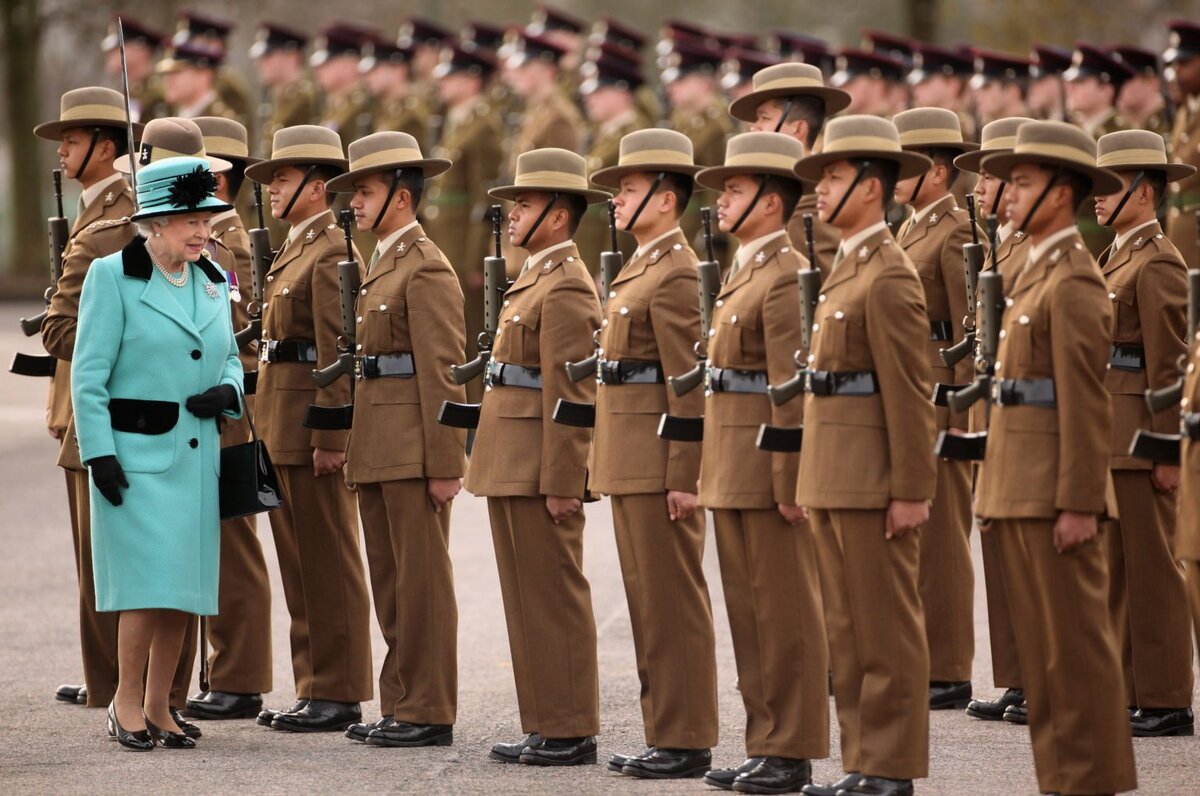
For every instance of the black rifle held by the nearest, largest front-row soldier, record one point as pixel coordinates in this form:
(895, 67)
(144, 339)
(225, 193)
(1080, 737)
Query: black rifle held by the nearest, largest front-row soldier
(989, 318)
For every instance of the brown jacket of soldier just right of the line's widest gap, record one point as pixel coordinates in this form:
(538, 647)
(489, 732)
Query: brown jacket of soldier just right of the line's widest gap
(548, 320)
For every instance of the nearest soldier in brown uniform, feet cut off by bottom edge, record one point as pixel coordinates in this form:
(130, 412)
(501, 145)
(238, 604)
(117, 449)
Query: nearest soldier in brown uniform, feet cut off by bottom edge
(1043, 483)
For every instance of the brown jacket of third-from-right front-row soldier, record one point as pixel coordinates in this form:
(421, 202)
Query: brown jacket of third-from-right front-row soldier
(757, 328)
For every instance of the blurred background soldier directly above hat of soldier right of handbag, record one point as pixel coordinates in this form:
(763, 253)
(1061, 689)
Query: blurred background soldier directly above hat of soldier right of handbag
(289, 95)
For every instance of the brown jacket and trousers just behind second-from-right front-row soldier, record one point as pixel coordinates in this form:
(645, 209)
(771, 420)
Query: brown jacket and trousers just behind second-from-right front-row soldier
(934, 243)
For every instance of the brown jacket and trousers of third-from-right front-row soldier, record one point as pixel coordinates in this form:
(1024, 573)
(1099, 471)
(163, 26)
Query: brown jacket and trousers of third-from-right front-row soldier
(769, 567)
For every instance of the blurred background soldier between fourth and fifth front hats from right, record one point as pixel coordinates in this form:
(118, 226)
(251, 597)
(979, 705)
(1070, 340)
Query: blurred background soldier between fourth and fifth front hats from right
(608, 91)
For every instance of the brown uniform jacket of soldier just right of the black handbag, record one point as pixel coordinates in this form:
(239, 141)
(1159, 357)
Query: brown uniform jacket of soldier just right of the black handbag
(302, 302)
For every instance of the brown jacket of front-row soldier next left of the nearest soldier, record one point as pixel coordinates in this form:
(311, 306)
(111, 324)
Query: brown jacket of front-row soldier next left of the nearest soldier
(865, 452)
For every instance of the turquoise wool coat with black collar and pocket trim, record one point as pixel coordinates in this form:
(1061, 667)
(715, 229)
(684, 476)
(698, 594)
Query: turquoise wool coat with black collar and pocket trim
(137, 360)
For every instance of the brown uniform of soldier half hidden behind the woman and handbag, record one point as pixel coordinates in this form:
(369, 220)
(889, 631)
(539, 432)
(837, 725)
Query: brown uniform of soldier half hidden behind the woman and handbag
(241, 633)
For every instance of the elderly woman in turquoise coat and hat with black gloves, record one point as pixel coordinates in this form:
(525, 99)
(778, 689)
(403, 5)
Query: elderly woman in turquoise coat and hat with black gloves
(155, 367)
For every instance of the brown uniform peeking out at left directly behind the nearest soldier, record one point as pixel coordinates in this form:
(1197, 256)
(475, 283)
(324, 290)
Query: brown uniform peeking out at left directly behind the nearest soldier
(1006, 671)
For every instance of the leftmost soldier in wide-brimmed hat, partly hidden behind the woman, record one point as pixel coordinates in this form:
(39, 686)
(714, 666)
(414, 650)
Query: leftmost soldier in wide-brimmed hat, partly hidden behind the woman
(91, 134)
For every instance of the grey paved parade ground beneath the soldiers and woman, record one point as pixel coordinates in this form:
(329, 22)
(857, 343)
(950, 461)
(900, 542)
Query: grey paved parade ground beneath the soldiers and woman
(49, 747)
